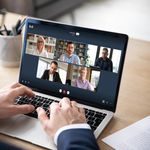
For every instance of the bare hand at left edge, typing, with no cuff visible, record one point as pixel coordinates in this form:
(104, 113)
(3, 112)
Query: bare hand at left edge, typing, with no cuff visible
(8, 96)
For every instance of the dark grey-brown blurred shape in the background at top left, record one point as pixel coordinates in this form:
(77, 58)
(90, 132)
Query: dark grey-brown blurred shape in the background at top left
(46, 9)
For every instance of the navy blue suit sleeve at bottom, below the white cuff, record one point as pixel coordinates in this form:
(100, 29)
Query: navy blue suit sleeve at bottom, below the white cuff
(77, 139)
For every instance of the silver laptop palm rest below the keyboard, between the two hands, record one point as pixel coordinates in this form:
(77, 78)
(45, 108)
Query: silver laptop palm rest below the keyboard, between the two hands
(26, 128)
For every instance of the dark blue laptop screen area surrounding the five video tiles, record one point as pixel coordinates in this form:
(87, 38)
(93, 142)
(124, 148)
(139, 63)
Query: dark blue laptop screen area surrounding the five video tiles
(109, 82)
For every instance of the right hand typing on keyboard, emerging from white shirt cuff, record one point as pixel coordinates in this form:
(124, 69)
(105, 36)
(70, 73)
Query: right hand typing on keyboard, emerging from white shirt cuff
(63, 113)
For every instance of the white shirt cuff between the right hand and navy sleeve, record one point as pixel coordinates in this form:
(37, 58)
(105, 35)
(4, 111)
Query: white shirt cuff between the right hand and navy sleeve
(68, 127)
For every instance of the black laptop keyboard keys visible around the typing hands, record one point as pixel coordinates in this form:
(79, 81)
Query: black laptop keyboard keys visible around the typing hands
(94, 118)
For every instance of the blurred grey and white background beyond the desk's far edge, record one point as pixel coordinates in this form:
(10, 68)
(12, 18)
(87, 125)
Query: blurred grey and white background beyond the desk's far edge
(126, 16)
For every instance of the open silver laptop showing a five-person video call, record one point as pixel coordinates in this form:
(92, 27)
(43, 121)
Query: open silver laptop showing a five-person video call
(60, 60)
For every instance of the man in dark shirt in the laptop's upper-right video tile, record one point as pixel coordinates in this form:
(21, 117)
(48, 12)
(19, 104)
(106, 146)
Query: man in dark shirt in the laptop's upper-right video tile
(104, 63)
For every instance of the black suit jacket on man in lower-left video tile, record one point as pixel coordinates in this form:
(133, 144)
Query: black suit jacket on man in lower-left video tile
(56, 77)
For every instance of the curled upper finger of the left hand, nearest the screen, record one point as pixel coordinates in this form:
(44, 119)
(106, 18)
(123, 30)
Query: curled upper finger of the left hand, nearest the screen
(21, 91)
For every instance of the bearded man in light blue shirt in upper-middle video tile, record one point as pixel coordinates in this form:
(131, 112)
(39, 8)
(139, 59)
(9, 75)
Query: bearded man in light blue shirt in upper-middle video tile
(69, 56)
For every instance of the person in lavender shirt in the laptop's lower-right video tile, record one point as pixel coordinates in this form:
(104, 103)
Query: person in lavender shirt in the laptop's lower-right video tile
(82, 82)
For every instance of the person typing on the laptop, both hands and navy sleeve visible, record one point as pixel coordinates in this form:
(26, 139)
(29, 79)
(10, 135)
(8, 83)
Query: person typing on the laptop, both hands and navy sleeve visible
(66, 126)
